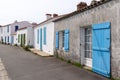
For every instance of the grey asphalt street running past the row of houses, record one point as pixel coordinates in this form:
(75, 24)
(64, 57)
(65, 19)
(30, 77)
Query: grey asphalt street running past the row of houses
(22, 65)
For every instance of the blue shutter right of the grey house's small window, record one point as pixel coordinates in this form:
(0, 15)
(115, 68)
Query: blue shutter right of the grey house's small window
(66, 40)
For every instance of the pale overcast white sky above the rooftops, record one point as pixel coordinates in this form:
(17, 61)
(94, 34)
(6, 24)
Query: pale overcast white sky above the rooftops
(34, 10)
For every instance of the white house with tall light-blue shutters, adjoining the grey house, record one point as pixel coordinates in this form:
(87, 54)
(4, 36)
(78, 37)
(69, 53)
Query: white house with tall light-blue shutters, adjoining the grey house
(44, 34)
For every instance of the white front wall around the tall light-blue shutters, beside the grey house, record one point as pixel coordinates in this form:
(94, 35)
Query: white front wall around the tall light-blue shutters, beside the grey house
(49, 47)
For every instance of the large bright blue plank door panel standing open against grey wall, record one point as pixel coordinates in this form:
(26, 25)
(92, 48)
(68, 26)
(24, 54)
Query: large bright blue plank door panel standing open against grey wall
(101, 48)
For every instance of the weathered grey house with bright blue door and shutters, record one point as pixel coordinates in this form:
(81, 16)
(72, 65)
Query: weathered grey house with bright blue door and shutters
(90, 36)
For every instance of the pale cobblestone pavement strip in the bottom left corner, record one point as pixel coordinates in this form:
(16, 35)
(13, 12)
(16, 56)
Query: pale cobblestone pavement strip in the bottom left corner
(3, 72)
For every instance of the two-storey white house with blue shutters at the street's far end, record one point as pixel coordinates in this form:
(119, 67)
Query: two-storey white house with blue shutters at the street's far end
(8, 32)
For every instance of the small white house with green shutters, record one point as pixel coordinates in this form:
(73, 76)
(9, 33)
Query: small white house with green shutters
(25, 36)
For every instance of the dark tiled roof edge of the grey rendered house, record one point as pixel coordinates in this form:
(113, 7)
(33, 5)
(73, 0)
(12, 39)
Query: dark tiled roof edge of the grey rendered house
(98, 3)
